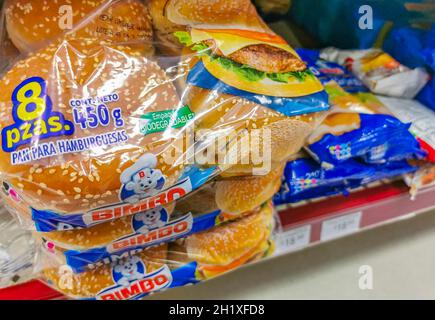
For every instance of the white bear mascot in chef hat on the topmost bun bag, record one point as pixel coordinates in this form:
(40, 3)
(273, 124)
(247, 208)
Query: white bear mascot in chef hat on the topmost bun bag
(141, 180)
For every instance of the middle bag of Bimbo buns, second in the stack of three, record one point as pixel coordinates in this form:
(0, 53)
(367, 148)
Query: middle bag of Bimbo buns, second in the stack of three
(212, 205)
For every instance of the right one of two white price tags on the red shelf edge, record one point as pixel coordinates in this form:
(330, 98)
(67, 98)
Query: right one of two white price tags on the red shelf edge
(341, 226)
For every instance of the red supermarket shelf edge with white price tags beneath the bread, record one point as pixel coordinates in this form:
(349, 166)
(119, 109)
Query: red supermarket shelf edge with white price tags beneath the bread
(309, 224)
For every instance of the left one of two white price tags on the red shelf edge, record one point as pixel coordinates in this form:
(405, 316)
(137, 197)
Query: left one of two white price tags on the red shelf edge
(293, 239)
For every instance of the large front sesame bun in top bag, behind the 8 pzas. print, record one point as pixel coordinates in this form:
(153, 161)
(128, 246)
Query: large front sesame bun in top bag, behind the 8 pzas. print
(81, 181)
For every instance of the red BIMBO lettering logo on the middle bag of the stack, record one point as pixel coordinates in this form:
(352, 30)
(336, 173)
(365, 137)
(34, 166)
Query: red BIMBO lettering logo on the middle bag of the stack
(173, 230)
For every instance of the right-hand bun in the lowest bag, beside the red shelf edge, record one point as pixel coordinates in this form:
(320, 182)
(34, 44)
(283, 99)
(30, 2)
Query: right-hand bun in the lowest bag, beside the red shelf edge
(227, 246)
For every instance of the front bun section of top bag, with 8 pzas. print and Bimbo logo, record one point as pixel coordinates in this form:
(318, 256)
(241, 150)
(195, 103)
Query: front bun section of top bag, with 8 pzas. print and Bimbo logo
(90, 142)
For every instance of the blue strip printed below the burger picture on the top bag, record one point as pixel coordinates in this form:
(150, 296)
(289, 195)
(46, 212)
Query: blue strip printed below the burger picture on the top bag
(200, 77)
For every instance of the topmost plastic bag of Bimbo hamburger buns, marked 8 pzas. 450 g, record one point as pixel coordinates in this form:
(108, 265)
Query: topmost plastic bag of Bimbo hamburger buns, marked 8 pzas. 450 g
(94, 128)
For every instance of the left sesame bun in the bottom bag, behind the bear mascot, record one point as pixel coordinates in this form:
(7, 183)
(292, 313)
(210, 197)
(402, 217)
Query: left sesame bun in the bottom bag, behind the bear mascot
(88, 284)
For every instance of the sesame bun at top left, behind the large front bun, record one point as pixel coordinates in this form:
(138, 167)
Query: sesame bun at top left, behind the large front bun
(32, 24)
